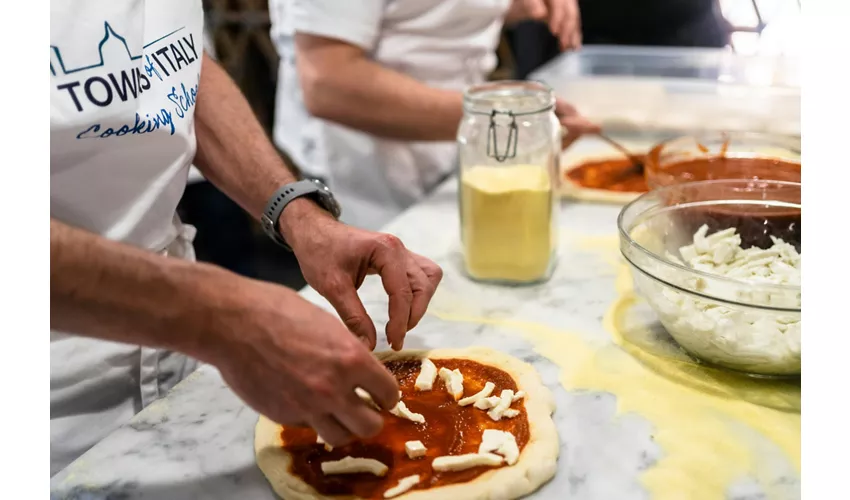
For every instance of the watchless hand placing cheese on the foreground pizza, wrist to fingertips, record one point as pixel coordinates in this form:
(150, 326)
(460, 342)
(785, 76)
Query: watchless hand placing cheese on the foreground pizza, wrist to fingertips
(295, 363)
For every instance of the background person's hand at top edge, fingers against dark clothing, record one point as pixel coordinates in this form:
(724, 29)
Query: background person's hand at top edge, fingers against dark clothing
(562, 16)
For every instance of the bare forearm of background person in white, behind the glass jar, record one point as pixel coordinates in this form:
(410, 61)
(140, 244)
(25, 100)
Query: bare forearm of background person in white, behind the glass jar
(342, 85)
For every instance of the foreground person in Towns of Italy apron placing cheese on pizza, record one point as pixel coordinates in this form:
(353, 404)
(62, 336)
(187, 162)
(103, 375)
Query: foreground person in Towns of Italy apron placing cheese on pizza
(134, 101)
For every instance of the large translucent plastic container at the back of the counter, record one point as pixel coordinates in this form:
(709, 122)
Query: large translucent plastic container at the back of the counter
(679, 90)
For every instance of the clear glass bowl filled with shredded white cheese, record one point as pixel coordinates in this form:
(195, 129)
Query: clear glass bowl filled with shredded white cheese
(748, 324)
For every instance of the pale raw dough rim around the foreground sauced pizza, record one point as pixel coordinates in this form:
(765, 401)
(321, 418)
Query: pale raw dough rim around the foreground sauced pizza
(536, 465)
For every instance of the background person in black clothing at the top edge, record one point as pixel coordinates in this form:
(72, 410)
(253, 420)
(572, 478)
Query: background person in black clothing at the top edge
(663, 23)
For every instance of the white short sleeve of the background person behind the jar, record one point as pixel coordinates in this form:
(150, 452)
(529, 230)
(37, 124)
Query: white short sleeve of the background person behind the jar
(356, 22)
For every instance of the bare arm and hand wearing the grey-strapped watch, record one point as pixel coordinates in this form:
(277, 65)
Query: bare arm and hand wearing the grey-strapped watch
(235, 154)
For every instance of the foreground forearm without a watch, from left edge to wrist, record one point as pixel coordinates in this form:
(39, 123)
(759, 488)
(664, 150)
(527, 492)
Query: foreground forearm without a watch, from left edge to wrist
(104, 289)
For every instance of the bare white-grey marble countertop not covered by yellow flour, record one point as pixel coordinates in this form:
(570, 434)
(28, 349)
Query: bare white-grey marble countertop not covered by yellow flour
(197, 443)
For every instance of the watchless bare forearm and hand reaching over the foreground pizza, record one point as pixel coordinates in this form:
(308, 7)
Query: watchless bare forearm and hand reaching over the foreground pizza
(287, 358)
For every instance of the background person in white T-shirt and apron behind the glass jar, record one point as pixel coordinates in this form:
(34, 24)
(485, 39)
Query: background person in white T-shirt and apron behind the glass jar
(369, 93)
